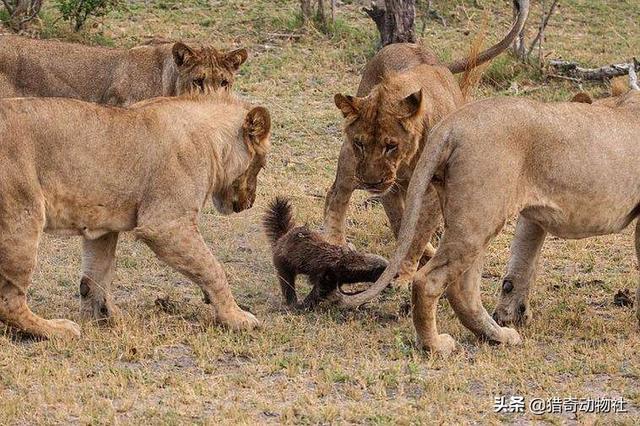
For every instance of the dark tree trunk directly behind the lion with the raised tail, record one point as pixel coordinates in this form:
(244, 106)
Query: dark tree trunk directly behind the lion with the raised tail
(394, 19)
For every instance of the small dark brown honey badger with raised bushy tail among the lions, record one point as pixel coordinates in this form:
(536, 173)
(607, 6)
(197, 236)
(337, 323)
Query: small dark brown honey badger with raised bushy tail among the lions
(298, 250)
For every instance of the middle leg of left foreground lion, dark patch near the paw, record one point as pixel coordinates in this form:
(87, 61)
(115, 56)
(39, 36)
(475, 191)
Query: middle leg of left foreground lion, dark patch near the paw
(98, 266)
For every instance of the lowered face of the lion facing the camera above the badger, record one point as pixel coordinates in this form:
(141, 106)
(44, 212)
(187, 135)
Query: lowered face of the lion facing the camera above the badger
(383, 132)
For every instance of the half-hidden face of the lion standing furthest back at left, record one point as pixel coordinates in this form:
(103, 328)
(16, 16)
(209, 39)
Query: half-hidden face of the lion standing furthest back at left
(205, 70)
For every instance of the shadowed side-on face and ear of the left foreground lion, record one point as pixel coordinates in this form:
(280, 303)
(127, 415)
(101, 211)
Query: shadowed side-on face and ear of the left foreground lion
(241, 194)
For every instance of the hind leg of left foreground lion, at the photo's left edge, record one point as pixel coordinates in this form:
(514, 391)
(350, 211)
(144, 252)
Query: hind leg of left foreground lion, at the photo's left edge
(21, 224)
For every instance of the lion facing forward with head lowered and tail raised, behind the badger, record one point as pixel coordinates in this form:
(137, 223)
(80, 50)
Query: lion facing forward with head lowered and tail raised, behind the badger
(403, 93)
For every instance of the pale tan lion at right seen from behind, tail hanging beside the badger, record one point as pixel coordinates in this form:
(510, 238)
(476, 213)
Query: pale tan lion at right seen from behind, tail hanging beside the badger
(501, 156)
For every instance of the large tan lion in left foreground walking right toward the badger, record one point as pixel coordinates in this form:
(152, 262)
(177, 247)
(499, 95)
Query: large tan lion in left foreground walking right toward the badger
(149, 168)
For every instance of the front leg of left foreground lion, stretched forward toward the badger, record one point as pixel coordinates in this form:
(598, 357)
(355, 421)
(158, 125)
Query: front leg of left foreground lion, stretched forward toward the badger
(179, 244)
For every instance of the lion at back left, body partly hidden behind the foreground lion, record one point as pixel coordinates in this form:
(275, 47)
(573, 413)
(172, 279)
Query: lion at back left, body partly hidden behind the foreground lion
(112, 76)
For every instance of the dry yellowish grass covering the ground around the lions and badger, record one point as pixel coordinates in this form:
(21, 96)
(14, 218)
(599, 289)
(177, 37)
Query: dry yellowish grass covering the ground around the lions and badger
(331, 365)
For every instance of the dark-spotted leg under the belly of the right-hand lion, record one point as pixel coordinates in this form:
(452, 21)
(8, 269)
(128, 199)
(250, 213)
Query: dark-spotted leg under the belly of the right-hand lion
(513, 306)
